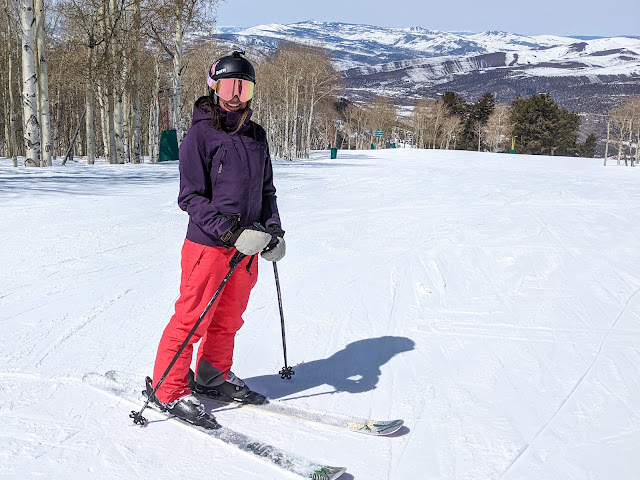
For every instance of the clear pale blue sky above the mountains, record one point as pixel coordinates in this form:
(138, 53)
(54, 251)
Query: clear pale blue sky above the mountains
(559, 17)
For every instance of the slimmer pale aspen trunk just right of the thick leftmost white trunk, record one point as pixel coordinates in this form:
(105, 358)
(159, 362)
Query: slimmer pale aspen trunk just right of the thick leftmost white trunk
(43, 84)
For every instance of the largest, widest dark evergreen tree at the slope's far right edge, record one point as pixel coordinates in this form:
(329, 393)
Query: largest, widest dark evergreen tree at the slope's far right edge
(542, 127)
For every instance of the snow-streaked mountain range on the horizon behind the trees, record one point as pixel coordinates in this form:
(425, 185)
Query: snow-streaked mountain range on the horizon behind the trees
(584, 73)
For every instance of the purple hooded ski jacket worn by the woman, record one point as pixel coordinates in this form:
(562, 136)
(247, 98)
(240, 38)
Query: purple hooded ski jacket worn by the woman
(226, 181)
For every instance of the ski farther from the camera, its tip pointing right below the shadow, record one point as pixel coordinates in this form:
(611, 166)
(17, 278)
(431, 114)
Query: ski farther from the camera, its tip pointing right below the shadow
(354, 424)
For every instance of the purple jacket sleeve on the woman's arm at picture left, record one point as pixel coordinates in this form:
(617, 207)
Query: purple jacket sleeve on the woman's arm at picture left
(195, 189)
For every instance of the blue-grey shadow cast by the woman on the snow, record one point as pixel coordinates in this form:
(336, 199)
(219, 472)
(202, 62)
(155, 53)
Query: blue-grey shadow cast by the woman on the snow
(355, 369)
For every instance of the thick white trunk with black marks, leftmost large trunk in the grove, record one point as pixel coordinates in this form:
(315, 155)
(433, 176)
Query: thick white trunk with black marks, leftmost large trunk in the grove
(29, 87)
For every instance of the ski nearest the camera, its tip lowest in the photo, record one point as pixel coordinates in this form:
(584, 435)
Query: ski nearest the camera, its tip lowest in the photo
(112, 382)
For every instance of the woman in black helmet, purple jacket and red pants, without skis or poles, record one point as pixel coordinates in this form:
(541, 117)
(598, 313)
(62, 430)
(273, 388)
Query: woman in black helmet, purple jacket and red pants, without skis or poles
(226, 187)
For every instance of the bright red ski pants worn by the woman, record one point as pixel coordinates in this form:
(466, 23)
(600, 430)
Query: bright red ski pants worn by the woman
(203, 270)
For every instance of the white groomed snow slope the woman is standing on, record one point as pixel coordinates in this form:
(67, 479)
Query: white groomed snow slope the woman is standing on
(489, 300)
